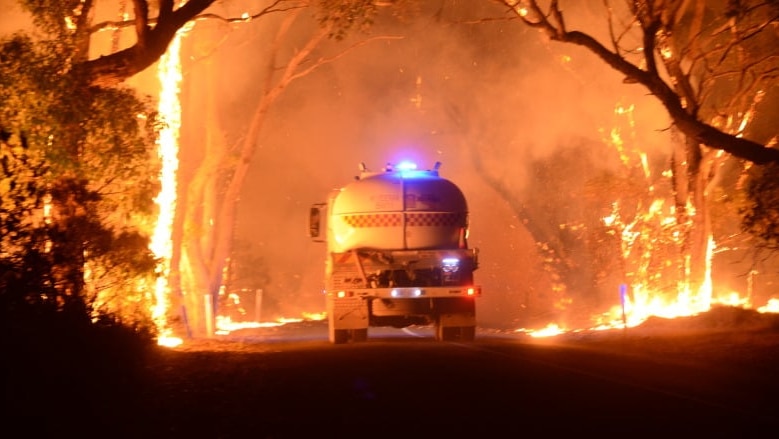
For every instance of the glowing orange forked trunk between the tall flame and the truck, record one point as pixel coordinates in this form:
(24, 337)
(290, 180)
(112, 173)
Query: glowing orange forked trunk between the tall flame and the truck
(214, 191)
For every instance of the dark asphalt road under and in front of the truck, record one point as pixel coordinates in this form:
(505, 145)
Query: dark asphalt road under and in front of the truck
(293, 383)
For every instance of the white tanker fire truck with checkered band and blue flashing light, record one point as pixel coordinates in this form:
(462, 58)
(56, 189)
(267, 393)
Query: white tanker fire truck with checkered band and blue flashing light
(397, 254)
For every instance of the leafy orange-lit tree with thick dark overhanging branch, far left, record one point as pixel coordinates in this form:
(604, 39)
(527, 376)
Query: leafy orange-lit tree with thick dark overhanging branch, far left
(96, 139)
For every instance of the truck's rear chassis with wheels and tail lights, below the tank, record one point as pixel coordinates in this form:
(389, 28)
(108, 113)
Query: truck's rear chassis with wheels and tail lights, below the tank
(401, 288)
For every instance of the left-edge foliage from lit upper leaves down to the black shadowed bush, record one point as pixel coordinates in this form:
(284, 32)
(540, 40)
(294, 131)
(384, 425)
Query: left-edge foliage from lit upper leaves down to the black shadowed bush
(76, 189)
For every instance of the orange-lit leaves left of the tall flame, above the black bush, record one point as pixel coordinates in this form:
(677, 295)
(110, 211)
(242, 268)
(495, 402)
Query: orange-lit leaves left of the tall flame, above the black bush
(87, 152)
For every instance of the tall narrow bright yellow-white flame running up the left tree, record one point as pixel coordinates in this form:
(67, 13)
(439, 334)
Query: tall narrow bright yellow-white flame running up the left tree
(169, 107)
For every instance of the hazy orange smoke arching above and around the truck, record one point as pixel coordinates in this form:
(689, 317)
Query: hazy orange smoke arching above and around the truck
(484, 98)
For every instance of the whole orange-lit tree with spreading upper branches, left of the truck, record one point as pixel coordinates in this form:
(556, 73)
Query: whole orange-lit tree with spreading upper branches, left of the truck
(205, 235)
